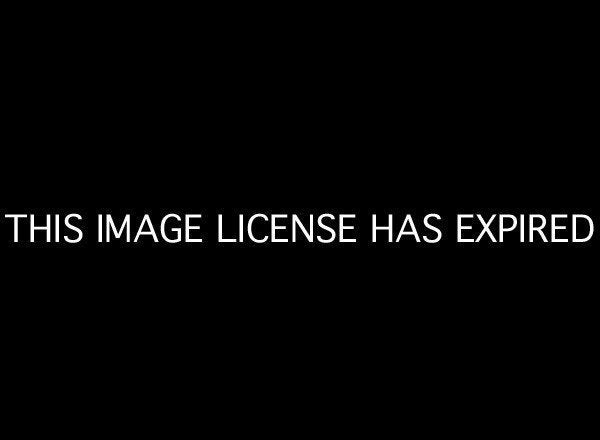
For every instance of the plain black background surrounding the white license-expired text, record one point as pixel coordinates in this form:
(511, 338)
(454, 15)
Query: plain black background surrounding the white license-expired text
(368, 113)
